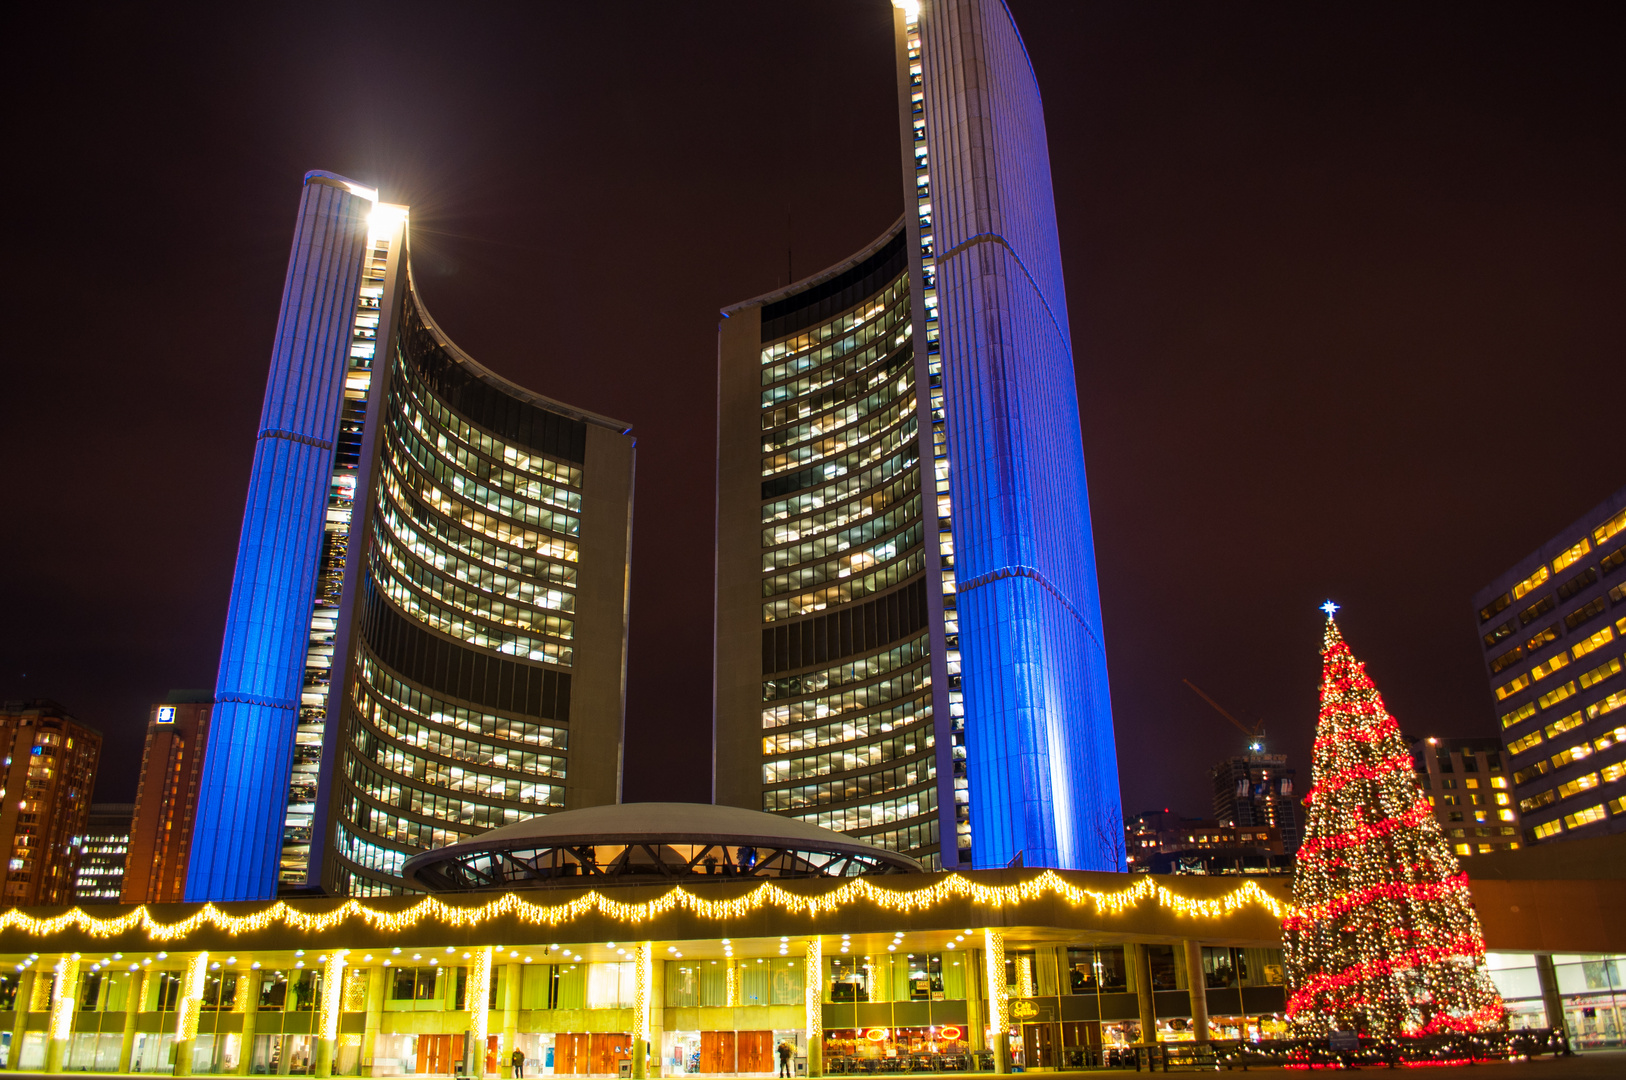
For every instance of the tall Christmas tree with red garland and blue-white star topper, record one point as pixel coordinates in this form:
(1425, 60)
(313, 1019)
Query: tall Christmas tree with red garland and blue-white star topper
(1383, 938)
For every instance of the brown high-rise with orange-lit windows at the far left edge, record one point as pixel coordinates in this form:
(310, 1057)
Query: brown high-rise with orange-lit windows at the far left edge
(50, 777)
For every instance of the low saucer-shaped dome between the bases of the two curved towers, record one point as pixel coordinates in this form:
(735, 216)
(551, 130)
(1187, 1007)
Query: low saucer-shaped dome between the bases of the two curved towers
(641, 843)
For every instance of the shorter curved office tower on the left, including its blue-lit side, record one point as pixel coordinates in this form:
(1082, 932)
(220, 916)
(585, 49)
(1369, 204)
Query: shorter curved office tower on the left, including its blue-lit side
(428, 622)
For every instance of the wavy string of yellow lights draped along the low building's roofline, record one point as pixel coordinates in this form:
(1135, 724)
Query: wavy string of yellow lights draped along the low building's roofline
(680, 899)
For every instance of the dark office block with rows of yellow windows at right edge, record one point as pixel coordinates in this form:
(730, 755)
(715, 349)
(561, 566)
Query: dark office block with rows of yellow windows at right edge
(1554, 632)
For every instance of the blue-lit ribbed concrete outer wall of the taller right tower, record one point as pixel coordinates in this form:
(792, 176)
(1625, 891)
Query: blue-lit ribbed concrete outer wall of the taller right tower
(1041, 756)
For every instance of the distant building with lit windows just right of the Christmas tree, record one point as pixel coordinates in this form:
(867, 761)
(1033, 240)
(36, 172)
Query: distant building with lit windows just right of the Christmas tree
(1471, 791)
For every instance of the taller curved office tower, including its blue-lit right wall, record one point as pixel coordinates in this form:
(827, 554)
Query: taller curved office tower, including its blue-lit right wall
(908, 624)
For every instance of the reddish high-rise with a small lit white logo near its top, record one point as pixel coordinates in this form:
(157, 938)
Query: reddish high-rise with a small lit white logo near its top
(167, 798)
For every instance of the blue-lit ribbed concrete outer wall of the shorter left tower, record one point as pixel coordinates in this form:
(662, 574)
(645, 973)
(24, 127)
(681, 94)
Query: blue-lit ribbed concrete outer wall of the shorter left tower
(240, 817)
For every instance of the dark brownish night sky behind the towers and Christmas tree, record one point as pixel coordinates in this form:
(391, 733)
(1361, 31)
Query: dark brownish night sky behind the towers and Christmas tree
(1346, 285)
